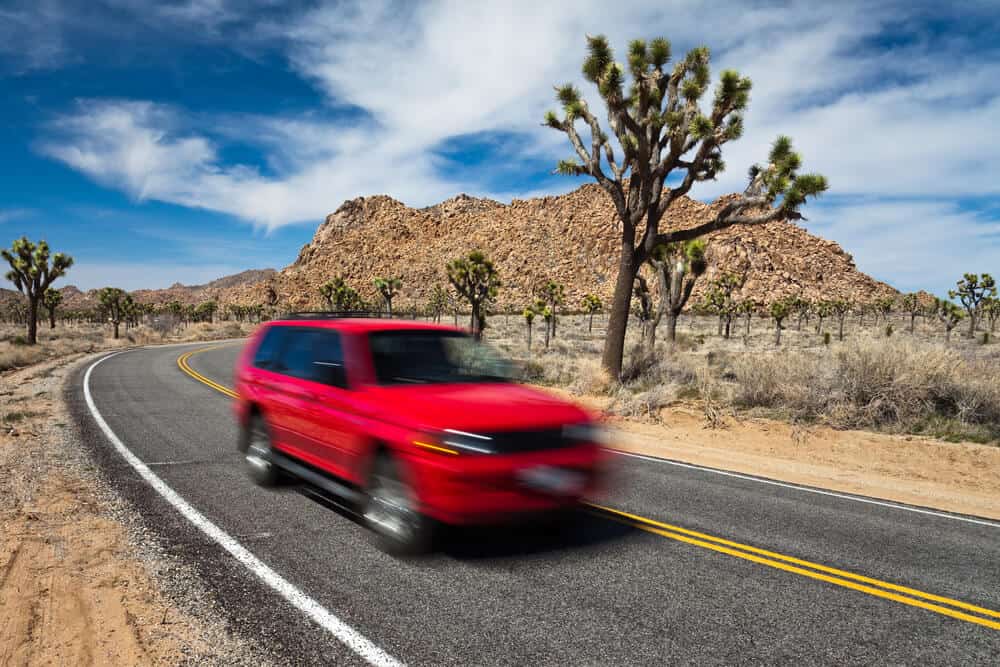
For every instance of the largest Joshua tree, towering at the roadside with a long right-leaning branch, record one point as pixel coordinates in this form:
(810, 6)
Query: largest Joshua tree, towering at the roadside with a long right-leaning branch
(664, 136)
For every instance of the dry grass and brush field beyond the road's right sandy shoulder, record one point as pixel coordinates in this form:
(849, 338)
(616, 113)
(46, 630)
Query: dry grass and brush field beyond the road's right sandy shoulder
(909, 383)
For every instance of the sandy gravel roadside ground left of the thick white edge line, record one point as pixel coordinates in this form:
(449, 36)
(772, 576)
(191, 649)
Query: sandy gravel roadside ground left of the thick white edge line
(73, 590)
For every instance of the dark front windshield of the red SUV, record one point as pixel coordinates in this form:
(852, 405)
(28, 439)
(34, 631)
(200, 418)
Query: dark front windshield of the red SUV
(429, 356)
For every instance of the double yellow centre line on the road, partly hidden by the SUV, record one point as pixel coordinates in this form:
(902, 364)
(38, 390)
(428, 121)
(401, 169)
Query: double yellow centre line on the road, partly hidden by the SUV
(883, 589)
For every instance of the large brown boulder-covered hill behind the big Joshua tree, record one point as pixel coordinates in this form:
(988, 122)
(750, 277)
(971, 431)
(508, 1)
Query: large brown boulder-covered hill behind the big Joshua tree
(570, 238)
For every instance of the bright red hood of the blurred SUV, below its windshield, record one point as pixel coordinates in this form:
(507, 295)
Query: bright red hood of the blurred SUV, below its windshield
(486, 407)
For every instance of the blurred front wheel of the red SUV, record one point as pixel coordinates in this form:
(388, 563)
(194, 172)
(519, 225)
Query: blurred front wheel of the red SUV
(390, 511)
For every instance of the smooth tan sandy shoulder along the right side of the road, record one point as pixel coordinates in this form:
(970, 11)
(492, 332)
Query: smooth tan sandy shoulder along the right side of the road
(956, 477)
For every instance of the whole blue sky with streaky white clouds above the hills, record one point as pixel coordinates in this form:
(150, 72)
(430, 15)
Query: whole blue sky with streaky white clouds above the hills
(159, 142)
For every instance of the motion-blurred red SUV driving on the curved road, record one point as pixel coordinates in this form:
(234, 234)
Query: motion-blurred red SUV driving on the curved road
(416, 423)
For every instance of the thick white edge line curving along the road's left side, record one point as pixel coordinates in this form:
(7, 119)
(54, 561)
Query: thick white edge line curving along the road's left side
(347, 635)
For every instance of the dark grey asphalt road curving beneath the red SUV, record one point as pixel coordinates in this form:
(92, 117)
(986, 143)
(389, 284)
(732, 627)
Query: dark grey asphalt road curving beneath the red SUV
(603, 592)
